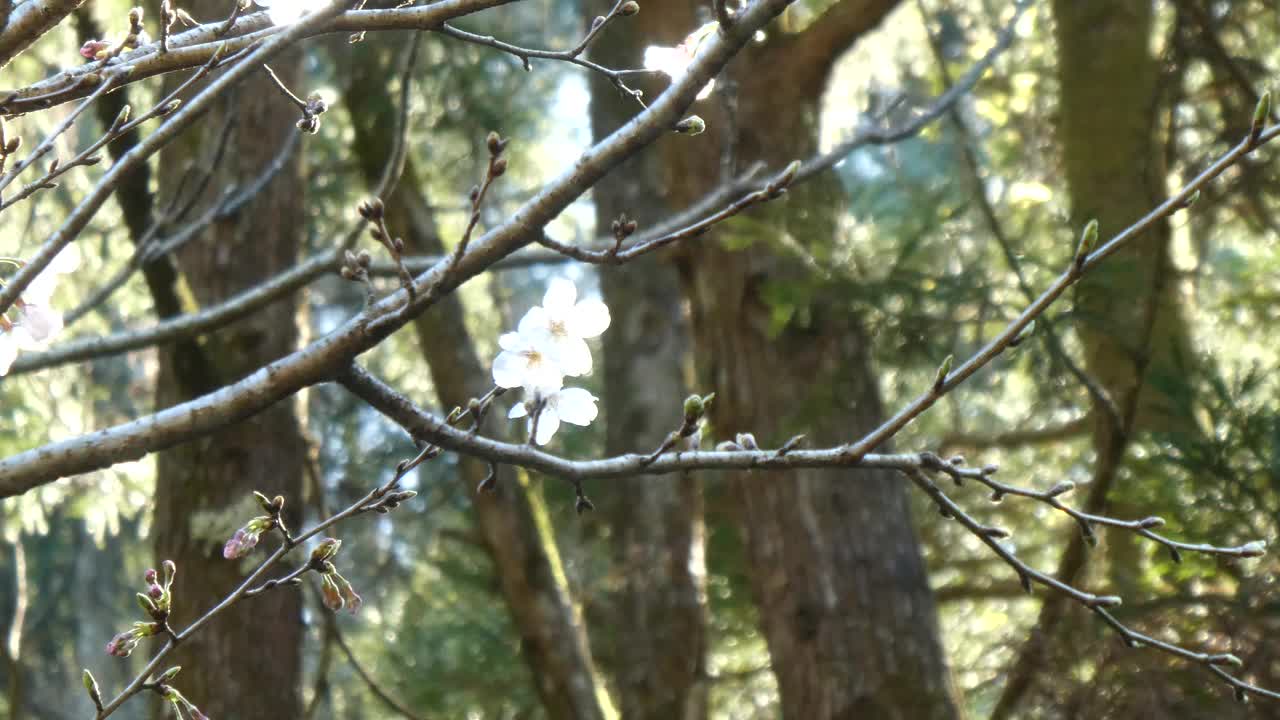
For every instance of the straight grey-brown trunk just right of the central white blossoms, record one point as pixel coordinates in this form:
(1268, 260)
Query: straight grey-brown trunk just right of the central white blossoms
(659, 635)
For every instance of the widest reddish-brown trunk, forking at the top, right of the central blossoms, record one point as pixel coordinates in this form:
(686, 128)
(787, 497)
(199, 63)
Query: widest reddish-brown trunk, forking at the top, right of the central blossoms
(835, 568)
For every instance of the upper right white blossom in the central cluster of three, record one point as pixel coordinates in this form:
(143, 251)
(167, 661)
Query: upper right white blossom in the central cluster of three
(564, 325)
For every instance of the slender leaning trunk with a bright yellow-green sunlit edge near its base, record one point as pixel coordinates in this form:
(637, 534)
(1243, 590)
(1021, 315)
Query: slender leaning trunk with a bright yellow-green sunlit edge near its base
(513, 522)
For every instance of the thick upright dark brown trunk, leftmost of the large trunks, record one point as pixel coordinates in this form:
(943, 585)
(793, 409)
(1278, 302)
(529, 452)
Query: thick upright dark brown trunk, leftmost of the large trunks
(248, 663)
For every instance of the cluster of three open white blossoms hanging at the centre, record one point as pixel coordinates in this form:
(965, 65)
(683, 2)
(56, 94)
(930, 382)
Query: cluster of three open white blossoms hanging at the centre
(550, 345)
